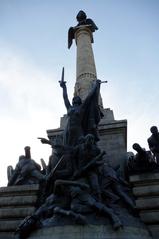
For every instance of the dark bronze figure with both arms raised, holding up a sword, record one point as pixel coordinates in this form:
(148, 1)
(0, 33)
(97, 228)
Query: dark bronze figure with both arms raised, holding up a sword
(83, 118)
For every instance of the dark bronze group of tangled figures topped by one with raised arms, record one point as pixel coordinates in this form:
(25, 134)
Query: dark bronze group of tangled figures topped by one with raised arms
(78, 182)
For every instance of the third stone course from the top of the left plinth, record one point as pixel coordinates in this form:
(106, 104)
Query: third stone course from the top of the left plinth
(19, 212)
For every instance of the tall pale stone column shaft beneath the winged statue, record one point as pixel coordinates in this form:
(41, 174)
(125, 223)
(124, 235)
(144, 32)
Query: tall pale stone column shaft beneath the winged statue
(85, 63)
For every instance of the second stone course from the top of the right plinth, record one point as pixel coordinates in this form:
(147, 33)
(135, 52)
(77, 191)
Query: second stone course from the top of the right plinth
(142, 191)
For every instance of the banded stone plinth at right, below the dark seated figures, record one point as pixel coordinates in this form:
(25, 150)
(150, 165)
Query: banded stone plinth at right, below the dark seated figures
(146, 191)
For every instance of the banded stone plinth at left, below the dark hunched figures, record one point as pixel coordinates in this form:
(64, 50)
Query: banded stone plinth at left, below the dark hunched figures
(16, 202)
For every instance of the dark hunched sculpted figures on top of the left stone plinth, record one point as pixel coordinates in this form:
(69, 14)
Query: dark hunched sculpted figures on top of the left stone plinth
(27, 171)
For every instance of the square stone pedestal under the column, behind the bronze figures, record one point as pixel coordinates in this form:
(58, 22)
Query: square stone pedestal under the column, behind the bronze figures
(113, 137)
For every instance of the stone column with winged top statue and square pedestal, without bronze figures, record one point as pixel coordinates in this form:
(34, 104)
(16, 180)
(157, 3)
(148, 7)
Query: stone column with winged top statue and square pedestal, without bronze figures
(113, 133)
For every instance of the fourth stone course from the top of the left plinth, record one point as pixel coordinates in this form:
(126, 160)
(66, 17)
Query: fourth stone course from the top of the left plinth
(9, 225)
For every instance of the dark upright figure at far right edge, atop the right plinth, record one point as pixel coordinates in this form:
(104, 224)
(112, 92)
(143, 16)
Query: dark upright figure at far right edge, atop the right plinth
(153, 142)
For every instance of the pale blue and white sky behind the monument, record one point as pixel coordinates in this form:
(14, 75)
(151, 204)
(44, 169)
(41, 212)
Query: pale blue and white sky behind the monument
(33, 50)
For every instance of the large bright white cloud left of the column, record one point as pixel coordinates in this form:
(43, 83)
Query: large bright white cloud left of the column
(28, 106)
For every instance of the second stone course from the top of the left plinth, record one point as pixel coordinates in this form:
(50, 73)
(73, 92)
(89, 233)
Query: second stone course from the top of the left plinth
(17, 200)
